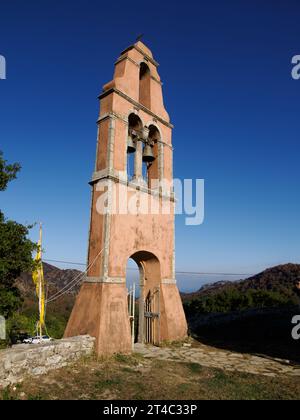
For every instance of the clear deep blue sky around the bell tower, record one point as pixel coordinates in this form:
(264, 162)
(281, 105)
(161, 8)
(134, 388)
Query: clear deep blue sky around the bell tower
(226, 68)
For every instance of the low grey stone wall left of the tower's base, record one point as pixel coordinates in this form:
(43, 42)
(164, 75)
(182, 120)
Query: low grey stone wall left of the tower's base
(36, 359)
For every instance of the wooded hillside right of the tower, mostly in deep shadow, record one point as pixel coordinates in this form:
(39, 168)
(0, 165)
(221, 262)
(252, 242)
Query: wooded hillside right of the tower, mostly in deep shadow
(252, 315)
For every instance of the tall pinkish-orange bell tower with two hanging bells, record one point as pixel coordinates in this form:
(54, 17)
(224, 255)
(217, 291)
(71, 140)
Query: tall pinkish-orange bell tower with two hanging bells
(132, 214)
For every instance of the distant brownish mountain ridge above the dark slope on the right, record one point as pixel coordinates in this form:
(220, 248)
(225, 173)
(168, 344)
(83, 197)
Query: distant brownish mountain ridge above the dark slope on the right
(281, 279)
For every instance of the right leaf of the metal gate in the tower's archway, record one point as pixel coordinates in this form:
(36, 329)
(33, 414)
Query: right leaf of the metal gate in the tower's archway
(152, 317)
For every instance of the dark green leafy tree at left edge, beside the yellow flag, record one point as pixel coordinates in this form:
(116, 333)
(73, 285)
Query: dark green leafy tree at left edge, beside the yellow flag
(15, 249)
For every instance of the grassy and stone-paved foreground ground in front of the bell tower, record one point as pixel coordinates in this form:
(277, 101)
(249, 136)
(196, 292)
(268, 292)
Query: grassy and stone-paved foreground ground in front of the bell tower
(188, 371)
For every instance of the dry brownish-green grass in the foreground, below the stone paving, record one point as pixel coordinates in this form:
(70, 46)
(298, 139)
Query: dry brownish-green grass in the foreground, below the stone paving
(133, 377)
